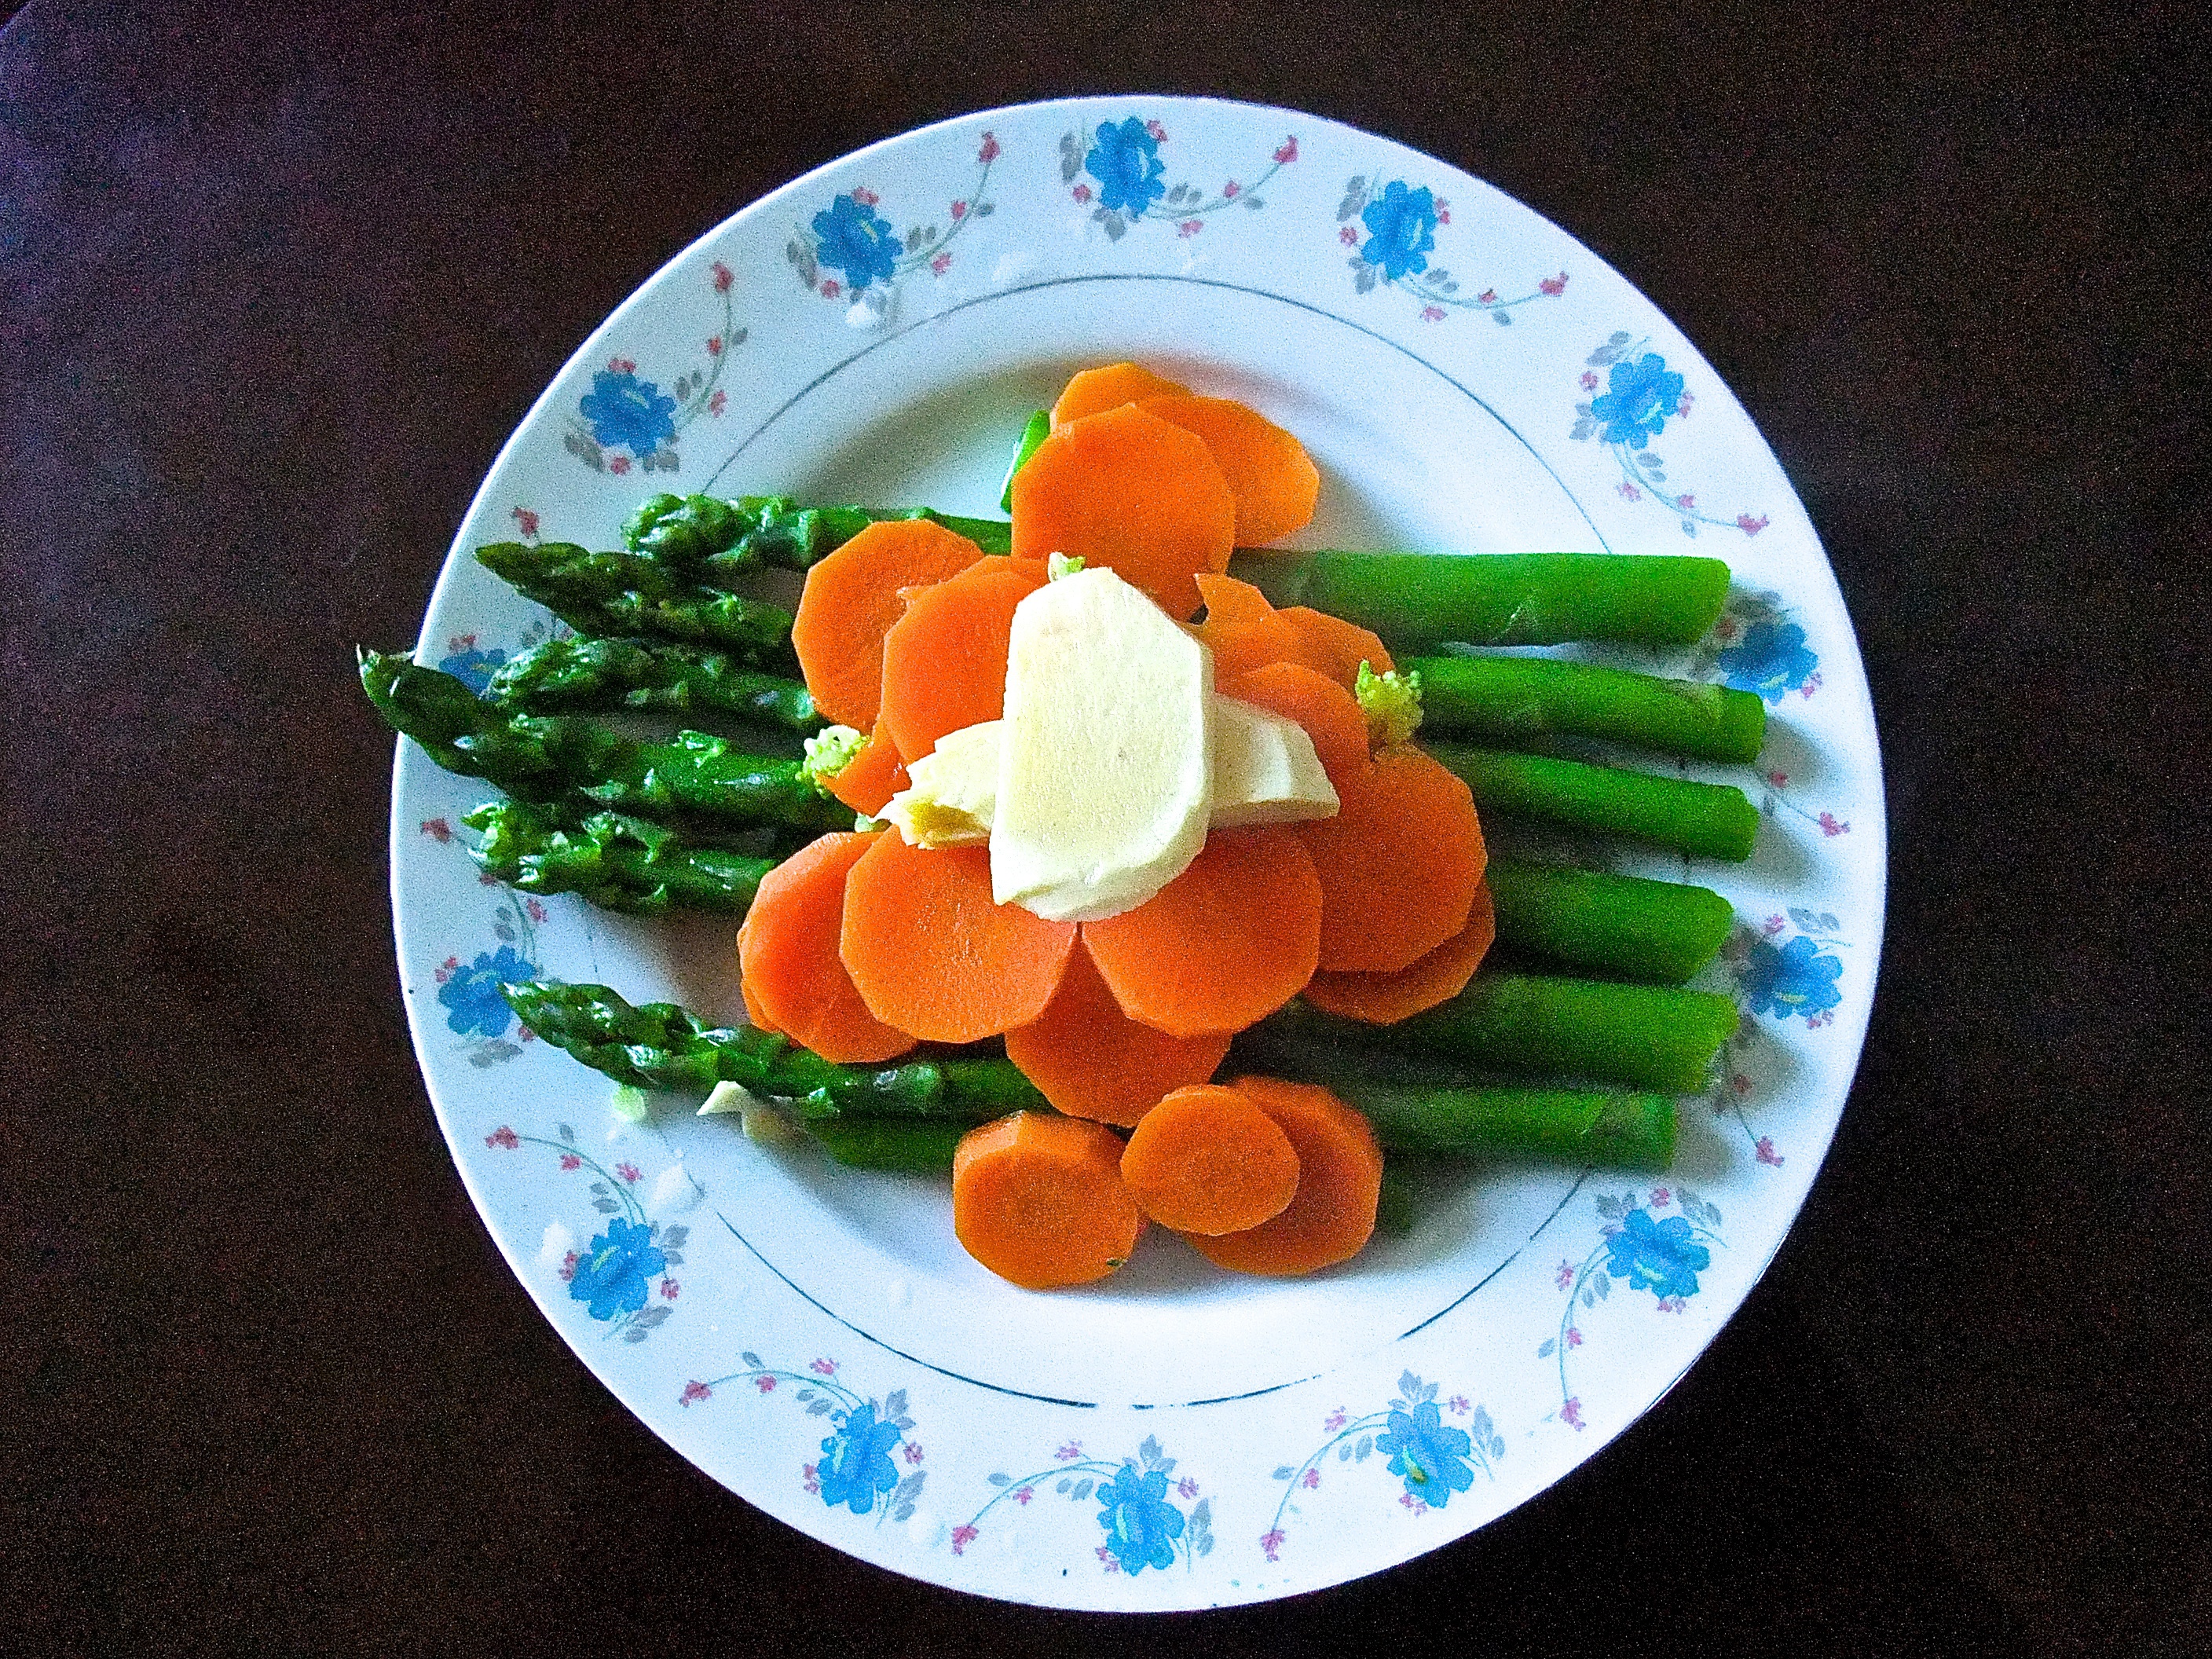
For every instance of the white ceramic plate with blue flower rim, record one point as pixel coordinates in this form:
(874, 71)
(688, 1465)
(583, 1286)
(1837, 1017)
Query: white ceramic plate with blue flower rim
(1468, 377)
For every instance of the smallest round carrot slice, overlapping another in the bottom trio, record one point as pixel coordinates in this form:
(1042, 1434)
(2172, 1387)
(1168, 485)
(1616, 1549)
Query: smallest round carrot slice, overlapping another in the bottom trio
(1209, 1160)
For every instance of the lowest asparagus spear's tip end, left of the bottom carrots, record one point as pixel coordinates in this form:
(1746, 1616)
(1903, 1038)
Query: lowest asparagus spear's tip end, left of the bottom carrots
(658, 1045)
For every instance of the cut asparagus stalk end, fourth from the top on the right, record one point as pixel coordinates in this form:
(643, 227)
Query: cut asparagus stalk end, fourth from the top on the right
(1620, 926)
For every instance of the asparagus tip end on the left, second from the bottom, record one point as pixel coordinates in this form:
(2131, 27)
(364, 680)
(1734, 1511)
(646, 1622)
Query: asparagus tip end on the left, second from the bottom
(614, 862)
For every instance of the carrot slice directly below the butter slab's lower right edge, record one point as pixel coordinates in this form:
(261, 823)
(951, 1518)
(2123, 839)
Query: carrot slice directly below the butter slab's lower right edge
(1222, 946)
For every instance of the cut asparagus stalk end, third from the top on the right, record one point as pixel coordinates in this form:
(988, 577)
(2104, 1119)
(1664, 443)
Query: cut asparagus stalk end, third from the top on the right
(1702, 820)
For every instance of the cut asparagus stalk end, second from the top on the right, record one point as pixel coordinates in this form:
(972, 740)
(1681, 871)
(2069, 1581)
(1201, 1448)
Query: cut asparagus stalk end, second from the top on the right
(1514, 700)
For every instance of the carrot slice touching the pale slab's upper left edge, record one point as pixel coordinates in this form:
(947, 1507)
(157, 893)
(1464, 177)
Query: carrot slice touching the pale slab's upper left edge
(946, 660)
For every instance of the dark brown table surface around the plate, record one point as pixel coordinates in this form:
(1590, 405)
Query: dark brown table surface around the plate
(273, 291)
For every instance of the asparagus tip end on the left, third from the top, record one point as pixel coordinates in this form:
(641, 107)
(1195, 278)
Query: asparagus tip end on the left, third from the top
(605, 676)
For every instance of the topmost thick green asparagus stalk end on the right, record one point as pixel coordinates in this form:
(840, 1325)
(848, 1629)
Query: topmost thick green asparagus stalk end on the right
(1421, 601)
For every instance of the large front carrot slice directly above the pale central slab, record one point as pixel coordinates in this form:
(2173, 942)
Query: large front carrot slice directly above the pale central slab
(1136, 494)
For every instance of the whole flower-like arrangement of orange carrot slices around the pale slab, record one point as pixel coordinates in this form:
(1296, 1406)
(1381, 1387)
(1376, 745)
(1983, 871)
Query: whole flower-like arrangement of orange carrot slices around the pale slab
(864, 946)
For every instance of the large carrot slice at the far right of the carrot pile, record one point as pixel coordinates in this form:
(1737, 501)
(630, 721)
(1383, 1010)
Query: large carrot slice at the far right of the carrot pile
(1399, 864)
